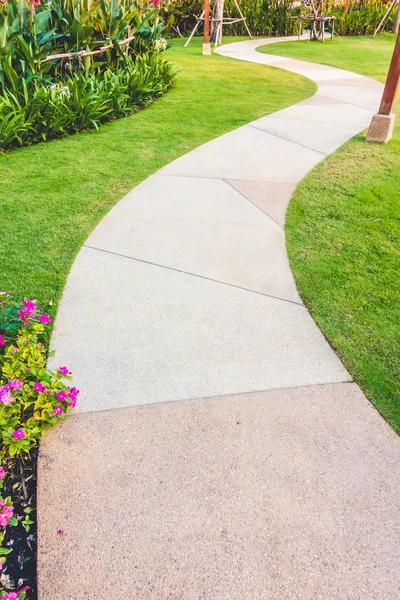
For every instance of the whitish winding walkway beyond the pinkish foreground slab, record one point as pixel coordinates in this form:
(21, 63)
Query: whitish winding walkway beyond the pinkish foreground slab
(184, 289)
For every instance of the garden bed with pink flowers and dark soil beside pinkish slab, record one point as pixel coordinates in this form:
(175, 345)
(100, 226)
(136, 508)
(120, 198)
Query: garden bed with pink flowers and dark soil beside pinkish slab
(32, 399)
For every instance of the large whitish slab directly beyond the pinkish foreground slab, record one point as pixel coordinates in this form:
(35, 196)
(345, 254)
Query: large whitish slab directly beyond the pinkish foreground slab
(136, 333)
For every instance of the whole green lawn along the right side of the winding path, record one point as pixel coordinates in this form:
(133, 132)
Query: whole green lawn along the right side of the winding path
(343, 237)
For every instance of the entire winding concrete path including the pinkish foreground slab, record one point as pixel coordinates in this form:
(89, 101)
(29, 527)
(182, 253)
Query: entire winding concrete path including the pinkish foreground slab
(280, 482)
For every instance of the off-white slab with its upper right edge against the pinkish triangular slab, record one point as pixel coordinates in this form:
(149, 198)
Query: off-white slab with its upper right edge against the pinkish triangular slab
(201, 226)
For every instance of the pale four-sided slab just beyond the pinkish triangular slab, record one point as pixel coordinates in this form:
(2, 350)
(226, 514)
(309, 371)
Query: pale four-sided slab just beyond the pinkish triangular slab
(247, 153)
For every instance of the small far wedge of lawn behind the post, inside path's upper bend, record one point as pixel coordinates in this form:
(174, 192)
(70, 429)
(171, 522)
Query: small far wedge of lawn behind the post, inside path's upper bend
(364, 55)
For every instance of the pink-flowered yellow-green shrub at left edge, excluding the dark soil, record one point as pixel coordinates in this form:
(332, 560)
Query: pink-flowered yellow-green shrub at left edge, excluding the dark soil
(32, 399)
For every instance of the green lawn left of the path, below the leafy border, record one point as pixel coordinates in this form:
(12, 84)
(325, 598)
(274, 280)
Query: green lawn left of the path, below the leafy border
(52, 195)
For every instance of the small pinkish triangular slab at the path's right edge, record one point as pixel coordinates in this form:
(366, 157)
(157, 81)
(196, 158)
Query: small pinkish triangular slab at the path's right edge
(272, 198)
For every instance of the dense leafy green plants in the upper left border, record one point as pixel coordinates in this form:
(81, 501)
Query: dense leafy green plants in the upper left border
(70, 65)
